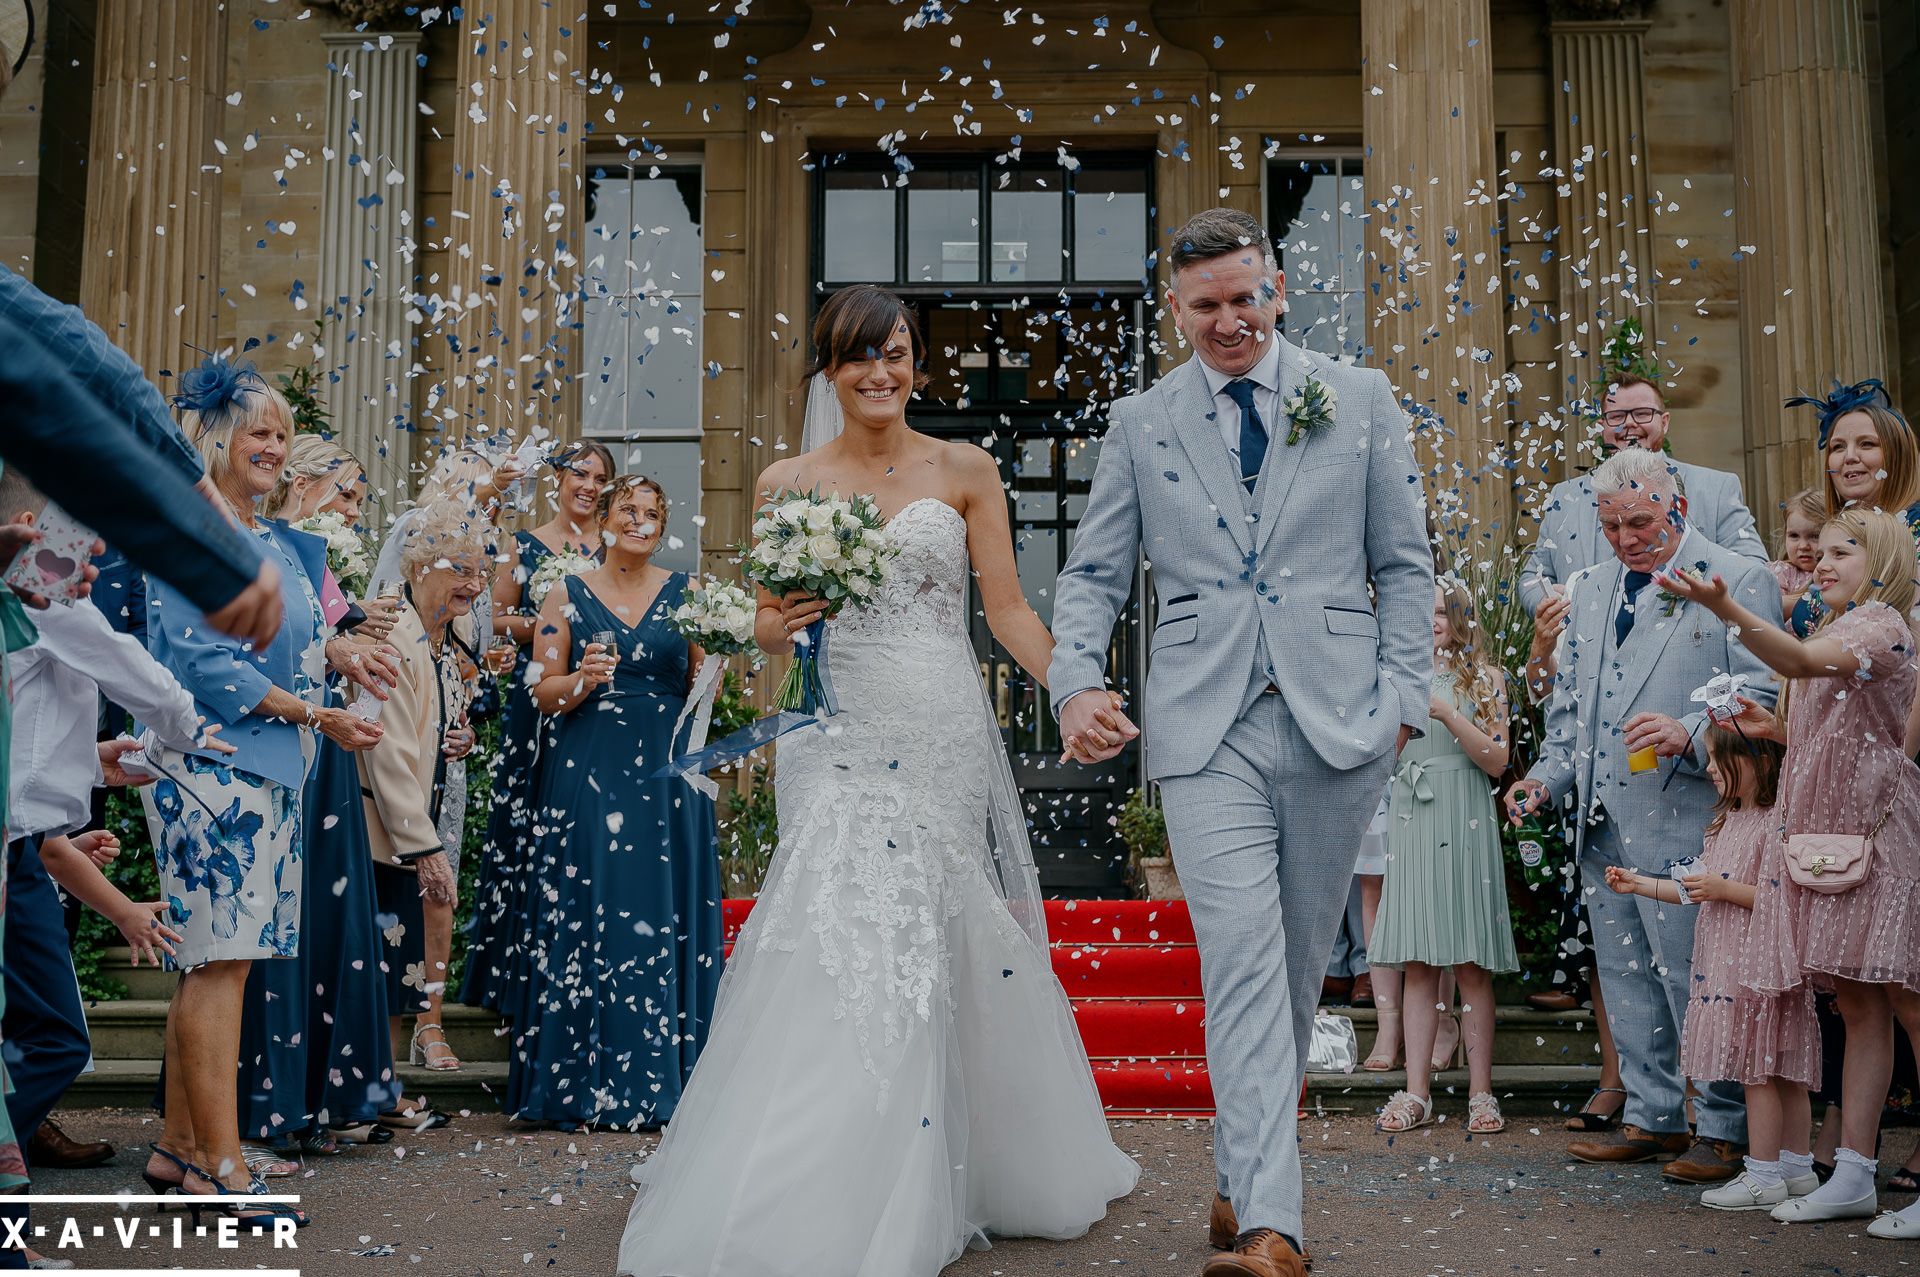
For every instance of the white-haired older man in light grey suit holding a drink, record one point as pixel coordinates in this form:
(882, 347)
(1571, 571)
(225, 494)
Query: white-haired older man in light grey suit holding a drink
(1629, 663)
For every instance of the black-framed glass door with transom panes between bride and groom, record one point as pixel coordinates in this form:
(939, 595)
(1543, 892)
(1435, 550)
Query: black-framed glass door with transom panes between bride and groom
(1032, 289)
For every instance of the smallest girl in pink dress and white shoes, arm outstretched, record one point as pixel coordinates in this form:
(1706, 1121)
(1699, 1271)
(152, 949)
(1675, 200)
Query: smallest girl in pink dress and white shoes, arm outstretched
(1769, 1044)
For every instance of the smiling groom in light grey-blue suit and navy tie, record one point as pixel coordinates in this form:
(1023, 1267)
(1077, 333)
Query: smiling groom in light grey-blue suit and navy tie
(1268, 489)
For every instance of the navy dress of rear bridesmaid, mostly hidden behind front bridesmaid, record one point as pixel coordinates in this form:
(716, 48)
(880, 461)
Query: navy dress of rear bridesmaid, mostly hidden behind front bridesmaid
(496, 934)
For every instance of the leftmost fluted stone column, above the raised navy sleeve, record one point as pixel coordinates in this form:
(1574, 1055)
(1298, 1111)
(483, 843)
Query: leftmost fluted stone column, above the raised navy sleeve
(155, 181)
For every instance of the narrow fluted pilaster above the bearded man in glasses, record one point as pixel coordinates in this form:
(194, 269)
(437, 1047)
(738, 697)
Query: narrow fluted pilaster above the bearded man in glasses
(1600, 137)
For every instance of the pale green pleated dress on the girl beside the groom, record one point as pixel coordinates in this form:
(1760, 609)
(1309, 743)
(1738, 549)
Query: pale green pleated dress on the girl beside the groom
(1445, 900)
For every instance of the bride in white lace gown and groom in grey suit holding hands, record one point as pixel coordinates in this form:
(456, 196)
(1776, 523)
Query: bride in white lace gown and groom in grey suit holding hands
(894, 1071)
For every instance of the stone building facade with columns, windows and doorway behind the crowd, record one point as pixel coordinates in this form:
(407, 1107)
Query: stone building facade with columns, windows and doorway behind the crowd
(615, 220)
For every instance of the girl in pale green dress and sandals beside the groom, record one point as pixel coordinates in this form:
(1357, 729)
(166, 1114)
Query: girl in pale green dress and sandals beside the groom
(1445, 902)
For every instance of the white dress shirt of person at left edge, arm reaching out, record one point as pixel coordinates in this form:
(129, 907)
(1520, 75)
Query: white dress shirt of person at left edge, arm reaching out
(57, 687)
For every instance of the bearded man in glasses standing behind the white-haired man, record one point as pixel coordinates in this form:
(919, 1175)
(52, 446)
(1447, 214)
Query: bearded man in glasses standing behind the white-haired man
(1570, 529)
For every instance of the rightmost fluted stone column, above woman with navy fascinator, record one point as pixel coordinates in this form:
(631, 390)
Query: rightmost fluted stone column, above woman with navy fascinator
(1812, 304)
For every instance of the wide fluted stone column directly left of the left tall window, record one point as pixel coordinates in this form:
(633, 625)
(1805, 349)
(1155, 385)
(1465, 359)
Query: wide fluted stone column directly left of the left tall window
(512, 308)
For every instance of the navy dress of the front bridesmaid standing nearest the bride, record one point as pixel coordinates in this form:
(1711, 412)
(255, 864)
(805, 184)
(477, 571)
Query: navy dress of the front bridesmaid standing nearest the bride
(627, 888)
